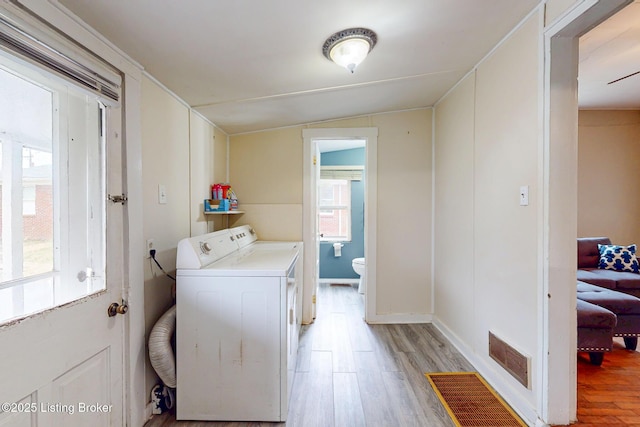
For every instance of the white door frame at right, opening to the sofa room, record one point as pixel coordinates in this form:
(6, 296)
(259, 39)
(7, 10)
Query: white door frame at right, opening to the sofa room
(557, 399)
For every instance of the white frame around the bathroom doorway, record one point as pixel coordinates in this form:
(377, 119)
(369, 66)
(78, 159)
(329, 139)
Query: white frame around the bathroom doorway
(309, 209)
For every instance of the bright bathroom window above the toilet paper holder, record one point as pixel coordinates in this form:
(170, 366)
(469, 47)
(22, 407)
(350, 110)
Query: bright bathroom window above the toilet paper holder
(334, 207)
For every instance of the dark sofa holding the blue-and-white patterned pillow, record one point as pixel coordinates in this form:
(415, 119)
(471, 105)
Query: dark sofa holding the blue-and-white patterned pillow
(588, 271)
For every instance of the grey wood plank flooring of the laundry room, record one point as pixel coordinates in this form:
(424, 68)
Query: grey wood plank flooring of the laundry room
(353, 374)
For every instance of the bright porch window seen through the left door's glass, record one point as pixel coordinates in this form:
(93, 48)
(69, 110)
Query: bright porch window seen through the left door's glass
(26, 126)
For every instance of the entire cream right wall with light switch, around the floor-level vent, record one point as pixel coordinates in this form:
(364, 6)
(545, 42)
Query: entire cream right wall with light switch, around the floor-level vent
(486, 244)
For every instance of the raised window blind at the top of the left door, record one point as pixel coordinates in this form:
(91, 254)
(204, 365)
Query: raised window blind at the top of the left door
(91, 75)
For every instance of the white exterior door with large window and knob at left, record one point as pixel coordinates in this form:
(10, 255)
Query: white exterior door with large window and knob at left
(62, 366)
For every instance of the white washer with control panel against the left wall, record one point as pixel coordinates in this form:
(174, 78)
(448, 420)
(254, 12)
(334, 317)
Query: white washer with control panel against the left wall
(238, 318)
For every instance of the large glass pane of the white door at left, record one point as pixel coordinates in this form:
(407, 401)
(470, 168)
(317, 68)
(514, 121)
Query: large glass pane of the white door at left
(36, 250)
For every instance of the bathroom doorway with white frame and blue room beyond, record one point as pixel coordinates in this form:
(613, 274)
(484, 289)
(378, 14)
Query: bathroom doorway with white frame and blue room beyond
(349, 157)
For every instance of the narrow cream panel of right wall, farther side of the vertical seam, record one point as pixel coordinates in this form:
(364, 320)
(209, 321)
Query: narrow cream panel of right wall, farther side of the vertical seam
(454, 287)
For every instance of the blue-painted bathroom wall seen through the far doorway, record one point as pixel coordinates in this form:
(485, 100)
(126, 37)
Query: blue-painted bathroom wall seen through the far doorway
(332, 267)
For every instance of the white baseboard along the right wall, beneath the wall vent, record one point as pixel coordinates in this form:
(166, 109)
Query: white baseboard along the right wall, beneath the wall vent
(499, 382)
